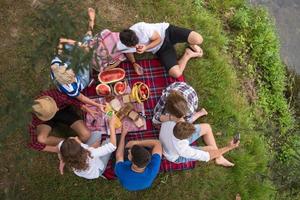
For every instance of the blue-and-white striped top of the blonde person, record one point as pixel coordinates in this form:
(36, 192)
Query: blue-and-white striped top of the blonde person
(73, 89)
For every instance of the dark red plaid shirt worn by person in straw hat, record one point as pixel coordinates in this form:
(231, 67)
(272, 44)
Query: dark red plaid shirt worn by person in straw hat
(62, 101)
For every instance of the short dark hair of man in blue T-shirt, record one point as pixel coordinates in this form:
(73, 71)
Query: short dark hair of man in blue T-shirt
(140, 156)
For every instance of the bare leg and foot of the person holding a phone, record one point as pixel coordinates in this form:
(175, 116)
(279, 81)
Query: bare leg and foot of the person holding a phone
(210, 141)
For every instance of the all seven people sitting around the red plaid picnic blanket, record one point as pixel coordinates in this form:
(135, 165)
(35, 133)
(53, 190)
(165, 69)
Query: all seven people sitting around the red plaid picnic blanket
(174, 114)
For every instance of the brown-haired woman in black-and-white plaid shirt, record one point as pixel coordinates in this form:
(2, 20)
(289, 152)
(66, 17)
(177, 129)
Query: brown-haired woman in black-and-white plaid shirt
(178, 102)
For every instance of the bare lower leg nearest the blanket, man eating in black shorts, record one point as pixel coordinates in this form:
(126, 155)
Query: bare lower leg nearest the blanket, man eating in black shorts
(177, 70)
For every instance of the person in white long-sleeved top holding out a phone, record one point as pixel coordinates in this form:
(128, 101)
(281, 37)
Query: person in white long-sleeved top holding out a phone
(176, 139)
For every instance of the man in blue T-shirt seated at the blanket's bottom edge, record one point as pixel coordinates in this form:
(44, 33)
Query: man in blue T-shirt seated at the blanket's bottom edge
(142, 168)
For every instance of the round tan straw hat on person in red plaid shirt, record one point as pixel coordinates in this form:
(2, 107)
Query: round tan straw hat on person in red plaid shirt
(45, 108)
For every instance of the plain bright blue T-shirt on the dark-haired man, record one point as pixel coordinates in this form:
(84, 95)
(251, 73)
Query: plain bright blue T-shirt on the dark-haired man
(134, 181)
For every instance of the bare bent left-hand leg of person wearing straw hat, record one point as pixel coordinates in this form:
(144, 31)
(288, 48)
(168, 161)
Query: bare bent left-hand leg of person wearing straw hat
(43, 137)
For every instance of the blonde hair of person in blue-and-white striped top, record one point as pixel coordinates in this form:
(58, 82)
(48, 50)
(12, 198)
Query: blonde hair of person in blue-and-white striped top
(62, 74)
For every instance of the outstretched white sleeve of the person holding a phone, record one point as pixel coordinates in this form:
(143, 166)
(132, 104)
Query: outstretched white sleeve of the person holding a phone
(185, 150)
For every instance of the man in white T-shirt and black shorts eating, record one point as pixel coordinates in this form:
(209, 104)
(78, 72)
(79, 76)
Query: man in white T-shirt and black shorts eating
(160, 38)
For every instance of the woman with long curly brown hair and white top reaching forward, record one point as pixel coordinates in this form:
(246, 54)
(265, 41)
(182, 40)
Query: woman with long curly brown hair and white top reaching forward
(87, 161)
